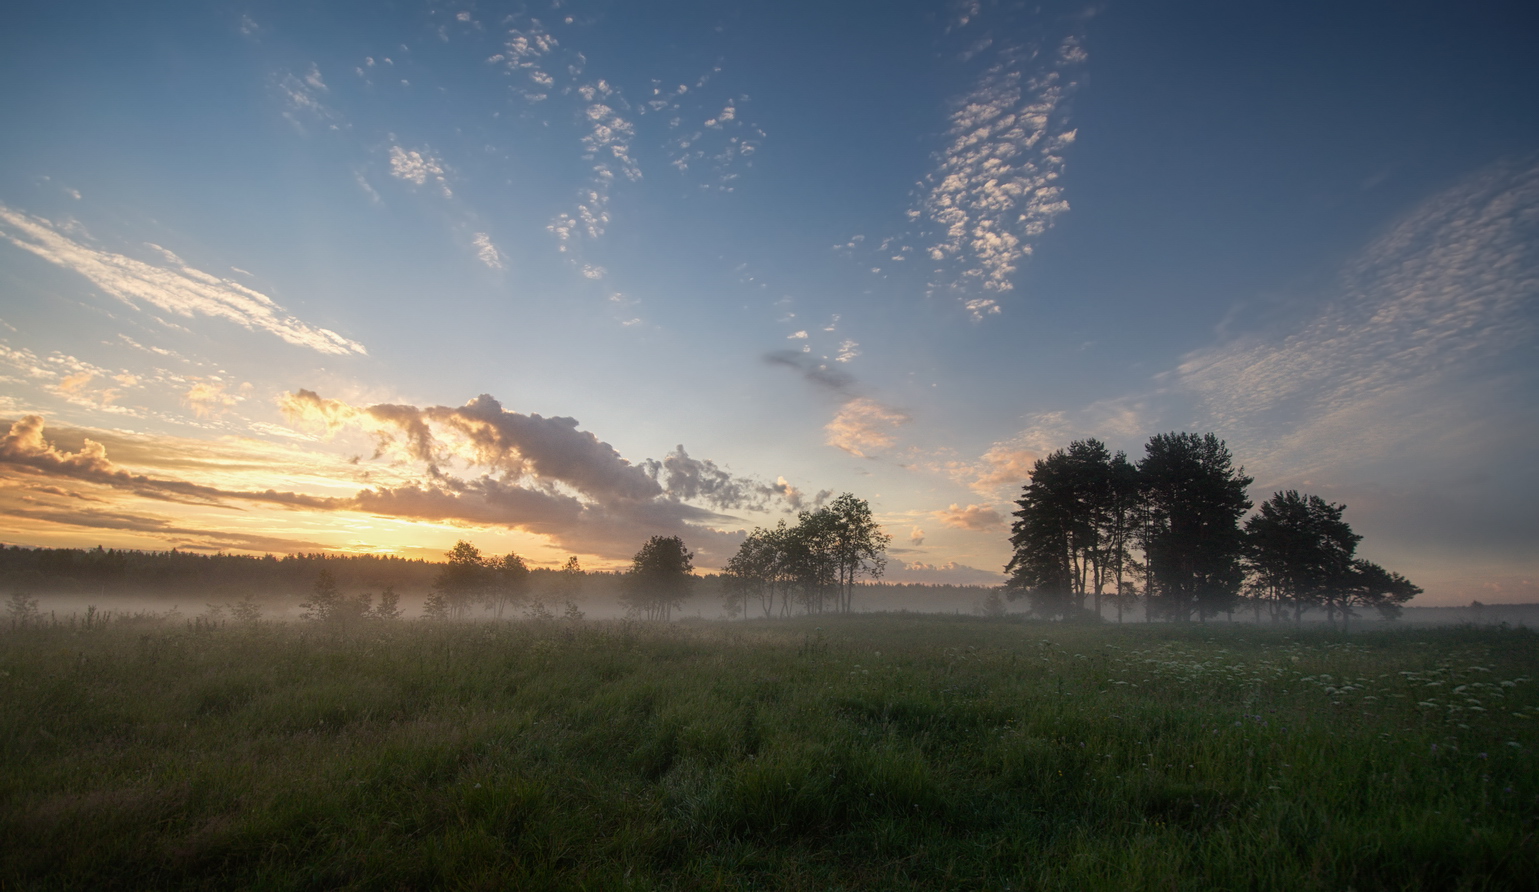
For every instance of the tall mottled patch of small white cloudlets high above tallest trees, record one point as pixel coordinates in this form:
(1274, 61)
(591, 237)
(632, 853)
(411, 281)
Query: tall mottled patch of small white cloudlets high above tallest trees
(997, 185)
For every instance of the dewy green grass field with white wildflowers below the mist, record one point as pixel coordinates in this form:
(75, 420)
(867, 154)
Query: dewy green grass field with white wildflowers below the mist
(838, 753)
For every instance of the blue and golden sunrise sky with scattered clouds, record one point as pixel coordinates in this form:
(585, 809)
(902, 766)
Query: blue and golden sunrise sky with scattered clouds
(558, 278)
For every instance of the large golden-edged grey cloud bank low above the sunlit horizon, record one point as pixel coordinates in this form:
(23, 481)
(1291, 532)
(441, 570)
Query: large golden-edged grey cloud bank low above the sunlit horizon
(541, 476)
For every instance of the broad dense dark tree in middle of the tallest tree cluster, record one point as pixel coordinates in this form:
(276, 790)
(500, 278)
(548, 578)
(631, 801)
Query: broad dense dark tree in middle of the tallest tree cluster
(1193, 502)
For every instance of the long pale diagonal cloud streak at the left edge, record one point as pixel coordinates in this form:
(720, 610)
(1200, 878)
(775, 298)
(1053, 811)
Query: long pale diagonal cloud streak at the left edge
(172, 287)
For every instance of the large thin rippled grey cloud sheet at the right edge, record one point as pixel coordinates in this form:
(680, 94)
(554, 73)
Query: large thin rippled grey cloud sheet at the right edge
(1424, 315)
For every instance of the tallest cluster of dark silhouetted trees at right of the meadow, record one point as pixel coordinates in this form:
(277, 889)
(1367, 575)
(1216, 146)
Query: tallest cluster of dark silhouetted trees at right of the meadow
(1167, 531)
